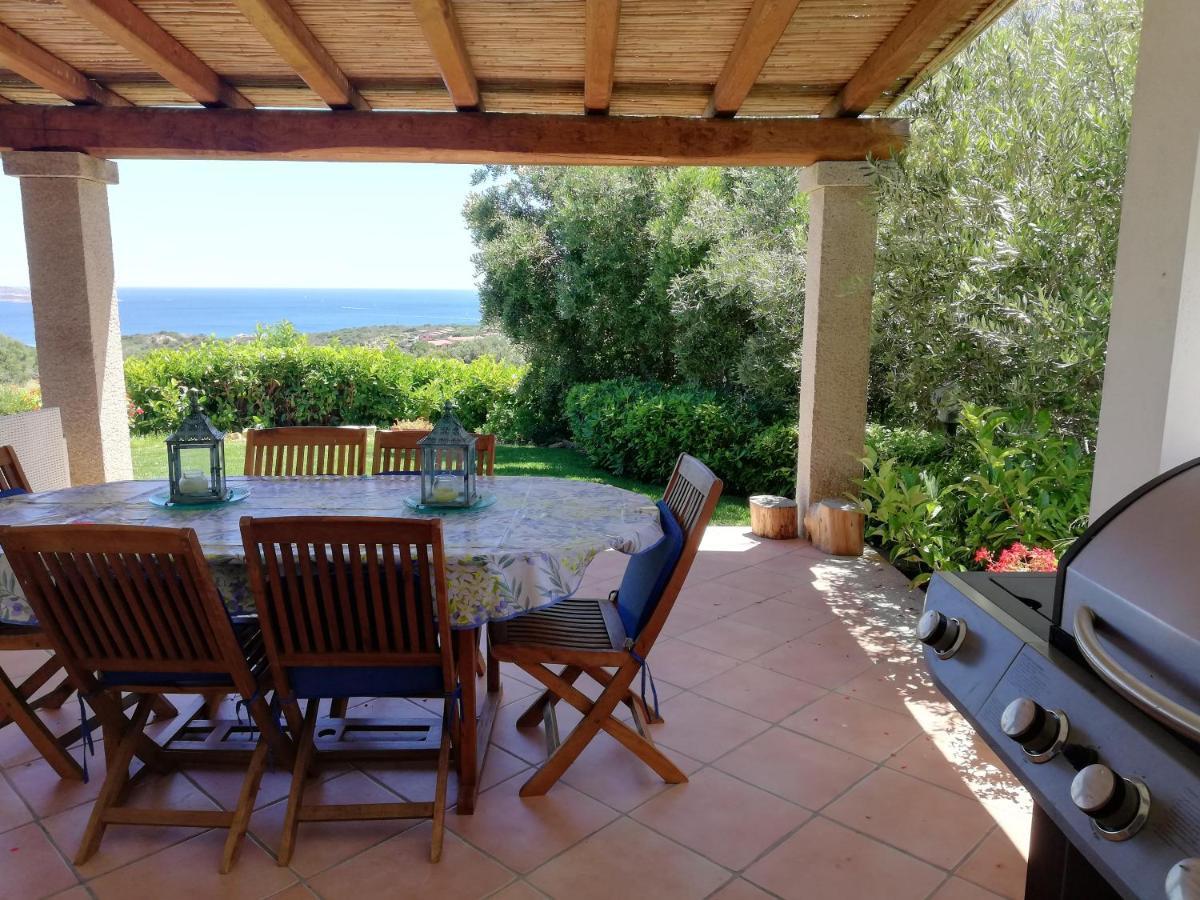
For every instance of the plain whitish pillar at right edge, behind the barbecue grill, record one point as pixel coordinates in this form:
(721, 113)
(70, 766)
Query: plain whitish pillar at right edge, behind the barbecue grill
(1150, 419)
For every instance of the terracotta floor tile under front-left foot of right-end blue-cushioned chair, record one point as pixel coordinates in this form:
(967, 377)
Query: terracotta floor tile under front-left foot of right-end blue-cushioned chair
(524, 833)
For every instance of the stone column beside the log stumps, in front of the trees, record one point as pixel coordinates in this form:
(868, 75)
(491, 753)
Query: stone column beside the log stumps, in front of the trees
(838, 293)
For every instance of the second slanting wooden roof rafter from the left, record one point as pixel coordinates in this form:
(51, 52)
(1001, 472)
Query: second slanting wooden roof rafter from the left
(142, 37)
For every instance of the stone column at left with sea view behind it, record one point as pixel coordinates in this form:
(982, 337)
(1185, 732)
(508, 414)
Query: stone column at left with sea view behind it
(70, 248)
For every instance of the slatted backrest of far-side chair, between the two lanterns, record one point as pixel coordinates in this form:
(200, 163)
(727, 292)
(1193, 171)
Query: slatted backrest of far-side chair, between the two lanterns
(307, 451)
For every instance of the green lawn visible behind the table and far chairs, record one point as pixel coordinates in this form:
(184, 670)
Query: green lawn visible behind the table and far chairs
(151, 461)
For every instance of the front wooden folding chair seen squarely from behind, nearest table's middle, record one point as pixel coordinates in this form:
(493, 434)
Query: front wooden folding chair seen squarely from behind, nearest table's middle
(355, 608)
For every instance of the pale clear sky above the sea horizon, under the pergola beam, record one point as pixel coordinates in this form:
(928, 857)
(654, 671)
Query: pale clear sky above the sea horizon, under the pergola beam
(266, 224)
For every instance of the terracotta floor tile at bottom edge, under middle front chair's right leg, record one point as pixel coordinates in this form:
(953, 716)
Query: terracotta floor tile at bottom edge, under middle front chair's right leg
(400, 868)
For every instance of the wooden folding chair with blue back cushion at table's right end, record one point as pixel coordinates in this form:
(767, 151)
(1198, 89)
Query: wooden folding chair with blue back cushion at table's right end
(589, 637)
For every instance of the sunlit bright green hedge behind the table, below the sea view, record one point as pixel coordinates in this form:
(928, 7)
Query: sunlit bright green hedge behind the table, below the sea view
(260, 385)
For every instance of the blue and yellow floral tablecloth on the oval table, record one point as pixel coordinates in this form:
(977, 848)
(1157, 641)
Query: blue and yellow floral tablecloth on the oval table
(527, 550)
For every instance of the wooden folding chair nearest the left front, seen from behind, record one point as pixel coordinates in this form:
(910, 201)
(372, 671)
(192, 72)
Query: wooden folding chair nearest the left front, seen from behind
(131, 609)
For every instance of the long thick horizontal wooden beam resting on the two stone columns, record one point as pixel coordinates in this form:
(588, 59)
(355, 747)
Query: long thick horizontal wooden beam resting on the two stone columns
(163, 133)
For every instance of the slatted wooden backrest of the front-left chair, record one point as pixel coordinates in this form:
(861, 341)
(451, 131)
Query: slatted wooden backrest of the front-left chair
(125, 598)
